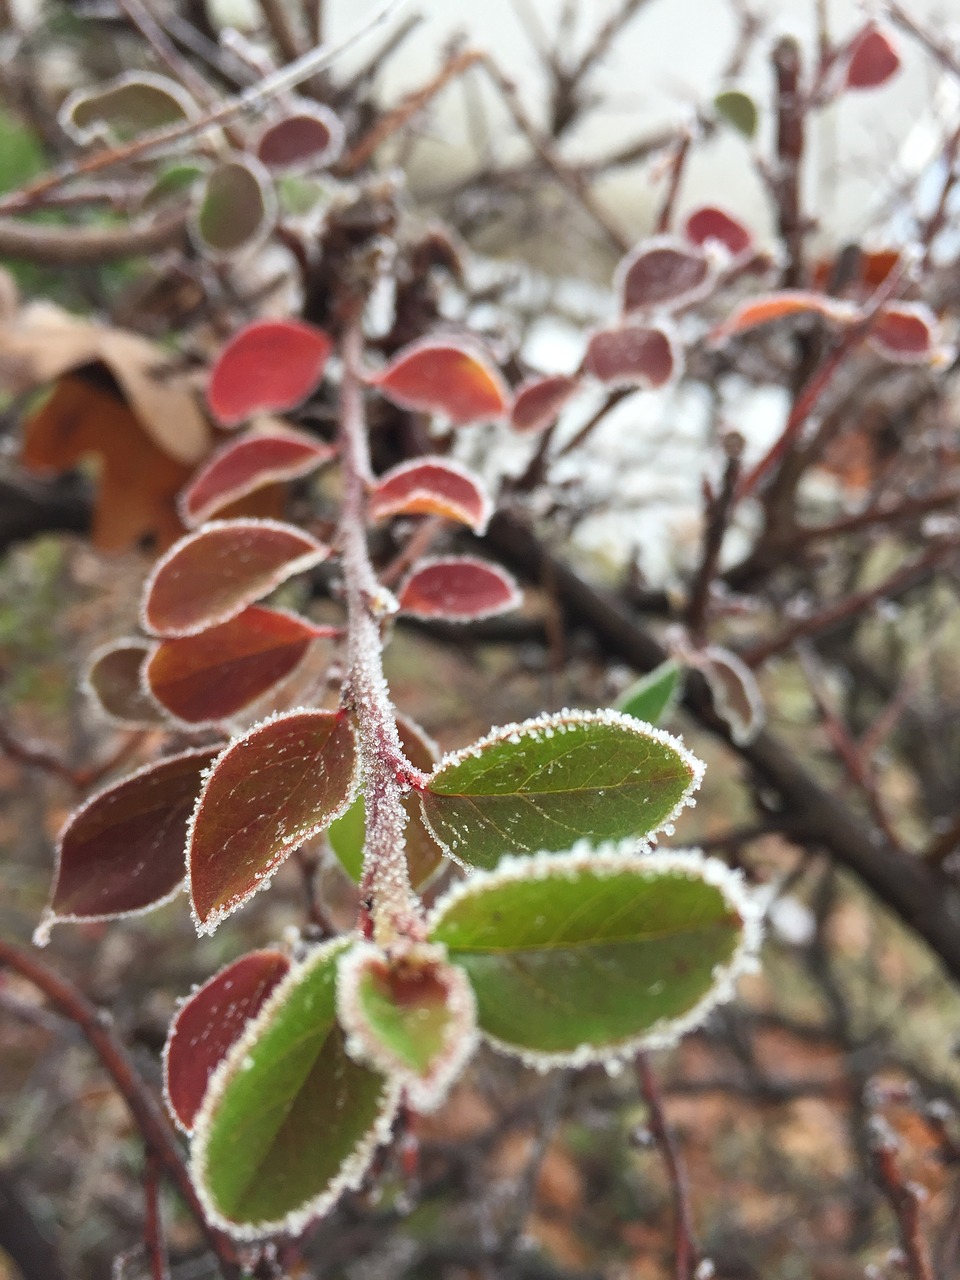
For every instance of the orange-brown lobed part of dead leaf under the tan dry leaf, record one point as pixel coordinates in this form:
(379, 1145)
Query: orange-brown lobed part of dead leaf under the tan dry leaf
(139, 482)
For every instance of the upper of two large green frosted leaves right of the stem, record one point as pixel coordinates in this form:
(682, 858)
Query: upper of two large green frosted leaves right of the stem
(555, 780)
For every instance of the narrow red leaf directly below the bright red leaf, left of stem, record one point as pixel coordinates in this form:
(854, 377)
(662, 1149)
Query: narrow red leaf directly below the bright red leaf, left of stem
(248, 465)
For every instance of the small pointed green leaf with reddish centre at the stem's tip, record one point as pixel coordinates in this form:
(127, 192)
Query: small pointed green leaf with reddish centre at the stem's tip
(409, 1014)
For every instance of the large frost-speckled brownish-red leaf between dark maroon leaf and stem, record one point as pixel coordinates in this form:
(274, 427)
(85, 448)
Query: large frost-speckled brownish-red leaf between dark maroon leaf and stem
(277, 787)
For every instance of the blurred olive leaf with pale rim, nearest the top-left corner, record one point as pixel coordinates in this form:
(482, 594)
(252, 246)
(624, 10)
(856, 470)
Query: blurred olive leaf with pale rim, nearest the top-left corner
(124, 108)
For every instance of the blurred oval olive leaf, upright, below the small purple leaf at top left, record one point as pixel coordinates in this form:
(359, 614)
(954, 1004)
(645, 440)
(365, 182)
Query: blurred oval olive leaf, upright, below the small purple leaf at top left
(235, 209)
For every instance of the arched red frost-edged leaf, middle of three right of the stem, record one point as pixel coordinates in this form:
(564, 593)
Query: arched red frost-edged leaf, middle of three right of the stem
(432, 487)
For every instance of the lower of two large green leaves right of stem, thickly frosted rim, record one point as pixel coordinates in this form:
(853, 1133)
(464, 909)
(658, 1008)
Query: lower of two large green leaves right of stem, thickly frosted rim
(593, 956)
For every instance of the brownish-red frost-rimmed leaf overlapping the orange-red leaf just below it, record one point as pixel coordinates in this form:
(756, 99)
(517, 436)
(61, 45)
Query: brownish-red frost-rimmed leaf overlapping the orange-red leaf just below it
(213, 575)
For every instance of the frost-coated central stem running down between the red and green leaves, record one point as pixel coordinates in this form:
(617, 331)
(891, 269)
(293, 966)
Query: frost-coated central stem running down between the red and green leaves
(386, 890)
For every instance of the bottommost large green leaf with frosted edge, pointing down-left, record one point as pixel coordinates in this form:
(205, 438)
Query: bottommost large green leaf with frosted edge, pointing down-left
(290, 1121)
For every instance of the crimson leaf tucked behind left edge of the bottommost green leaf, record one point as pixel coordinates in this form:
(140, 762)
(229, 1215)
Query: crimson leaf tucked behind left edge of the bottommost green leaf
(209, 1023)
